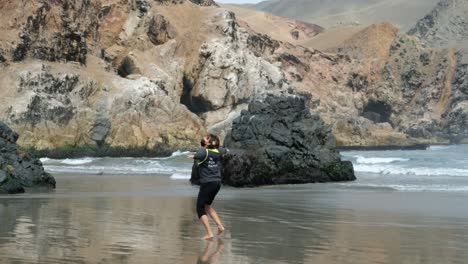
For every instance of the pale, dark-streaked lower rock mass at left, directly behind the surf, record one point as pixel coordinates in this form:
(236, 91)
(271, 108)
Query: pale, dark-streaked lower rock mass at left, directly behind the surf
(54, 107)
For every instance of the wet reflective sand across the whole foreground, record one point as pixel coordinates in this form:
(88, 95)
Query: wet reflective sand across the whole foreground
(152, 219)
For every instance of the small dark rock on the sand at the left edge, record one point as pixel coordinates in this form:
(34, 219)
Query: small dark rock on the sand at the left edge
(19, 170)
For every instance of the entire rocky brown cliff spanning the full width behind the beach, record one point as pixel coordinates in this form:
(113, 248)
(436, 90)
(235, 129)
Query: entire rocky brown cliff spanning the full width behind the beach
(140, 73)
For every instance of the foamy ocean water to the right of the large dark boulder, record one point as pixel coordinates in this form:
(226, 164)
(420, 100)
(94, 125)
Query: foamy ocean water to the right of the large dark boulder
(437, 169)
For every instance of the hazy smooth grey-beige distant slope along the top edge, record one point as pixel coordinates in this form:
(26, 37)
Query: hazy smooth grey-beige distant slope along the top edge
(403, 14)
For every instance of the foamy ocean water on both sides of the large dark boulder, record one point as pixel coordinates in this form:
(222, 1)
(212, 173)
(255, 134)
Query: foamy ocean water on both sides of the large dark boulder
(439, 168)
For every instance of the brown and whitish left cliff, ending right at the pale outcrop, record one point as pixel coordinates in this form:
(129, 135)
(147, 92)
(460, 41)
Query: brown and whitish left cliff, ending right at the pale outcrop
(99, 74)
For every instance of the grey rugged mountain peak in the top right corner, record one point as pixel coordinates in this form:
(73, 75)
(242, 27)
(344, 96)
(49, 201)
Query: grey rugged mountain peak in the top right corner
(446, 25)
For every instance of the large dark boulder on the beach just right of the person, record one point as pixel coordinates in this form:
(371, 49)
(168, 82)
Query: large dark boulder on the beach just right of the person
(282, 143)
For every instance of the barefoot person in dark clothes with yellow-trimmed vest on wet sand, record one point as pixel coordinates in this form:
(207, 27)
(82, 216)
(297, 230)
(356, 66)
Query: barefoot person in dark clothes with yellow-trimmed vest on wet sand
(209, 159)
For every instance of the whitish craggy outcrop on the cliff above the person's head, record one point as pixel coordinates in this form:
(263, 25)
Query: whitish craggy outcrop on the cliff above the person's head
(229, 74)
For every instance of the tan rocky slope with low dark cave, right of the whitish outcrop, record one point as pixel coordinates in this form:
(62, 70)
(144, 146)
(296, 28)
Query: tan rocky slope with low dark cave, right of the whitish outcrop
(376, 82)
